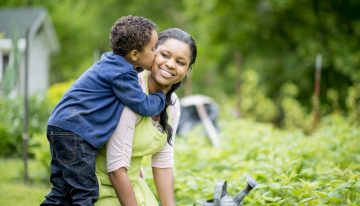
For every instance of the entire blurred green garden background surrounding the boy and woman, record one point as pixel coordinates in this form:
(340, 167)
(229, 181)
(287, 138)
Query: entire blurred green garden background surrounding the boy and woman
(284, 75)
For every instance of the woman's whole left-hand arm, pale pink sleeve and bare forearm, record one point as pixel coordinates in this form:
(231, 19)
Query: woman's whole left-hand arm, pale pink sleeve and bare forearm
(118, 156)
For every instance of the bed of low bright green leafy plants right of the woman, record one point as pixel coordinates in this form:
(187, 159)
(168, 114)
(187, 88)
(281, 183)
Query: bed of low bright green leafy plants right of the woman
(291, 168)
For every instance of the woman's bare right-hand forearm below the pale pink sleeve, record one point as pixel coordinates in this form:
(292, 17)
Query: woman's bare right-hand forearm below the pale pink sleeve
(164, 181)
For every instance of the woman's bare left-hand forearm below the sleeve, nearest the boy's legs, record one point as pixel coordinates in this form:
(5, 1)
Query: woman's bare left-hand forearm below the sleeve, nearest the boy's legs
(123, 187)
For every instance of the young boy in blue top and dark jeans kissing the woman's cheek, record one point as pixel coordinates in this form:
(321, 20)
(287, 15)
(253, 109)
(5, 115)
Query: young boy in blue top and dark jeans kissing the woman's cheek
(89, 111)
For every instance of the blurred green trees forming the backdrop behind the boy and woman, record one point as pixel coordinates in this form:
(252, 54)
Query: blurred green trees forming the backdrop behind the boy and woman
(277, 38)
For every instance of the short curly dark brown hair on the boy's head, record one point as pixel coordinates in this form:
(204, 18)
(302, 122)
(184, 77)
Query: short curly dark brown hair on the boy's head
(129, 33)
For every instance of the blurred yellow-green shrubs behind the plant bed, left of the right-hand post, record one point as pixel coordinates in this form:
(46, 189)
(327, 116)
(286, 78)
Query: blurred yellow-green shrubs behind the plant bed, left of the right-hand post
(285, 112)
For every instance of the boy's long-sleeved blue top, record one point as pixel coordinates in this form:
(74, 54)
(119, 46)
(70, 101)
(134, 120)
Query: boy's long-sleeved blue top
(92, 106)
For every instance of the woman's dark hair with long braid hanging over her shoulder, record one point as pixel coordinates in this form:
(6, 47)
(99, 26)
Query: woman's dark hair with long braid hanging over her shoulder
(178, 34)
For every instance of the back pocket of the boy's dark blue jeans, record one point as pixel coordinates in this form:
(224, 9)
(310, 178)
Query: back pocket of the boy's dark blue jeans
(65, 146)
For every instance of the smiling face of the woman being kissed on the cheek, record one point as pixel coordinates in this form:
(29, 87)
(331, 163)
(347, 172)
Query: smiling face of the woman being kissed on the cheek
(171, 62)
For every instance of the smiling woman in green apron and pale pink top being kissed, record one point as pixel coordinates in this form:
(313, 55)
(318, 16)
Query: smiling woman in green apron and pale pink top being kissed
(136, 137)
